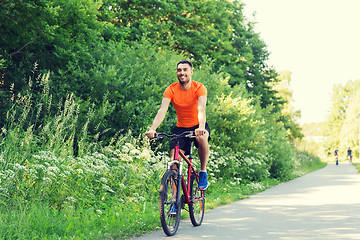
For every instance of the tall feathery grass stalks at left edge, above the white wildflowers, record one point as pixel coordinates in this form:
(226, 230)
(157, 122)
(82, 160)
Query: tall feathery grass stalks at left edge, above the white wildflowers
(30, 128)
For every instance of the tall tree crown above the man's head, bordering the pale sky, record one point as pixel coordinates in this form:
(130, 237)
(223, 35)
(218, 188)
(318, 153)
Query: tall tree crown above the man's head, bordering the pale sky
(215, 29)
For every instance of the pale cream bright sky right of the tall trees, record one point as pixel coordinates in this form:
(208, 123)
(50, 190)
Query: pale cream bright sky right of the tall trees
(318, 41)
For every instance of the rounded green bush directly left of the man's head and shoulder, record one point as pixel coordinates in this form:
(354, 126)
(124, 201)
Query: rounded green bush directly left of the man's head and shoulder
(131, 77)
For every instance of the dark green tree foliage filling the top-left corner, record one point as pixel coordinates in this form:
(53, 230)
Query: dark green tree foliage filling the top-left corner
(49, 33)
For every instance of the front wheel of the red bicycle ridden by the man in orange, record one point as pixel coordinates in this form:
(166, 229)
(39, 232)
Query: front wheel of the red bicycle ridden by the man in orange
(170, 208)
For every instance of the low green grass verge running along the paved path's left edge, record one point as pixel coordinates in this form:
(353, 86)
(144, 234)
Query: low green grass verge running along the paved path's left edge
(120, 221)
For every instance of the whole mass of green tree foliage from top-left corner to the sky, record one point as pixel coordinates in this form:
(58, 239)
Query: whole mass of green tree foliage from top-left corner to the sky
(95, 49)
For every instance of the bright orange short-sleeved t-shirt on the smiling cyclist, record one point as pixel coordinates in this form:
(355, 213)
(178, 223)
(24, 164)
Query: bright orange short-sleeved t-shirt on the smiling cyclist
(185, 102)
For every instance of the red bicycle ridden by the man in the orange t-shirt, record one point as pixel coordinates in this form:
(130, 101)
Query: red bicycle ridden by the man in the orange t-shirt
(171, 202)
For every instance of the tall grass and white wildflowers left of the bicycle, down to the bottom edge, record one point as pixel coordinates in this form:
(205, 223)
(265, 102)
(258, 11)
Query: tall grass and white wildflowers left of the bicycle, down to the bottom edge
(46, 192)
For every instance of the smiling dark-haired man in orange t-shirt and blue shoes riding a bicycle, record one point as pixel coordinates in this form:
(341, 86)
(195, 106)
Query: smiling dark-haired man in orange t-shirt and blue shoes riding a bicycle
(189, 100)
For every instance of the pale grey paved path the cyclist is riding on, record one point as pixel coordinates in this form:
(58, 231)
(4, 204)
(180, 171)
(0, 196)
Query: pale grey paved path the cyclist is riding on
(321, 205)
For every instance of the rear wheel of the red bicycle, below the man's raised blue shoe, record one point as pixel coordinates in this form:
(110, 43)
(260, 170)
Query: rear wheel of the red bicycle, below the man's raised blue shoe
(197, 202)
